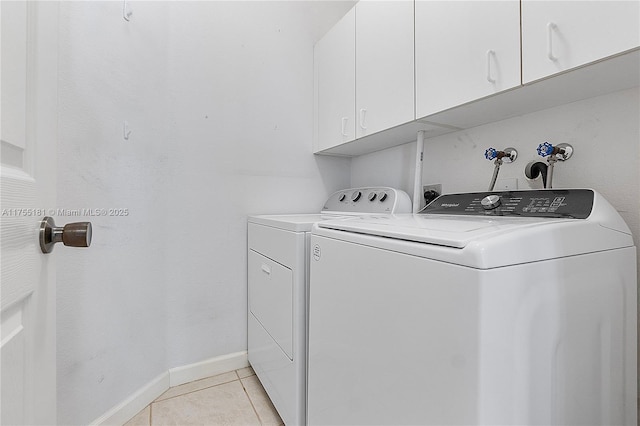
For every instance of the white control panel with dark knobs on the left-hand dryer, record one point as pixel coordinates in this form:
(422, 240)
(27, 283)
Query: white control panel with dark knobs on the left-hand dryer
(368, 200)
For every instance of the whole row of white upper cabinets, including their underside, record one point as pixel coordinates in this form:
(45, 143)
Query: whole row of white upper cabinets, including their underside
(392, 68)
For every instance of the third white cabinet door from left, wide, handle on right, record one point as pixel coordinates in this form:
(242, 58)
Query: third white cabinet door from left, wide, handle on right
(465, 50)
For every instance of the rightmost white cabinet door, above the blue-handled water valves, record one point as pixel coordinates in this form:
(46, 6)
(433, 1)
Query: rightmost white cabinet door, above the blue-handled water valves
(559, 35)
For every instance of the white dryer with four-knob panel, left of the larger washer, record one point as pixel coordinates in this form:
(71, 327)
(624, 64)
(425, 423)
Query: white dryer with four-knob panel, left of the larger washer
(278, 273)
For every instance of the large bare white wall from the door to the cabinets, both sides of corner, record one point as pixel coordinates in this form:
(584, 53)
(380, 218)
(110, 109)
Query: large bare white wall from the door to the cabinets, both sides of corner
(218, 97)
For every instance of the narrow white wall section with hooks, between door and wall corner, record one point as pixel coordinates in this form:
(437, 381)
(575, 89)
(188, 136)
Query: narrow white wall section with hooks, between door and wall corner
(111, 325)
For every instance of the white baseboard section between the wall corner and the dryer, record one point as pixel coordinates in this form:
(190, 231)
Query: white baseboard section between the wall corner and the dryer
(207, 368)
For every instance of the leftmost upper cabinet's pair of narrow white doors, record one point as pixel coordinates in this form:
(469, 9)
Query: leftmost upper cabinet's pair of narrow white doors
(364, 72)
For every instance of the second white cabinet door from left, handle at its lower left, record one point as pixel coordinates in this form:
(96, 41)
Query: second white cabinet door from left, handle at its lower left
(384, 65)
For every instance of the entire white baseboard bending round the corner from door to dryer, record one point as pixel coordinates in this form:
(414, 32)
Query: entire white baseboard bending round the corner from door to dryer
(123, 412)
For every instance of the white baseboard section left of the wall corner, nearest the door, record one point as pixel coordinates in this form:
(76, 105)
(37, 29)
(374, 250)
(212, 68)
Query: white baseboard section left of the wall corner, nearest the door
(123, 412)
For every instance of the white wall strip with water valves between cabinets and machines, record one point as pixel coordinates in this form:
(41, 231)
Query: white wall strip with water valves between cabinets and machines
(604, 131)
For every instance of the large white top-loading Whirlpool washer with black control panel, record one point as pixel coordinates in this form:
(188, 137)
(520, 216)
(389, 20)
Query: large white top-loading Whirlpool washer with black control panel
(506, 308)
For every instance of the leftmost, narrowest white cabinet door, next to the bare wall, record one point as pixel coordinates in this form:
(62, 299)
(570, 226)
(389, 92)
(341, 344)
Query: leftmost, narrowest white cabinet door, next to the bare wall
(334, 57)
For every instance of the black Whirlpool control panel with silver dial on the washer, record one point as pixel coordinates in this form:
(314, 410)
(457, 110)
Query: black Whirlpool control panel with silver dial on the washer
(571, 203)
